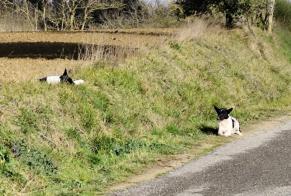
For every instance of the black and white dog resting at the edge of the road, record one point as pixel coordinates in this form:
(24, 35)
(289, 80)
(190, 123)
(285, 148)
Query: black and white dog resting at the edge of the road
(227, 125)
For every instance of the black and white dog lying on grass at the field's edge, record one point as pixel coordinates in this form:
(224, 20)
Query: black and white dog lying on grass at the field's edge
(61, 79)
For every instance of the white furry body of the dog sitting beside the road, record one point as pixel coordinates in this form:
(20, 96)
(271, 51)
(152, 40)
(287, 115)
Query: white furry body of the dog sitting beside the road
(226, 129)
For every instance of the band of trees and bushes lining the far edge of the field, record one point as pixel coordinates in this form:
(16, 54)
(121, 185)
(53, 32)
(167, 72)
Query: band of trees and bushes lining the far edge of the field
(87, 14)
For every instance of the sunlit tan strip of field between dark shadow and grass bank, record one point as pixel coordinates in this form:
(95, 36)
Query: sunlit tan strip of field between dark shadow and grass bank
(18, 70)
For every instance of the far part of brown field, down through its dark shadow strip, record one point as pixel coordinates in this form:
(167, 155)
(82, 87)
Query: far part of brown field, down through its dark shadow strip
(80, 45)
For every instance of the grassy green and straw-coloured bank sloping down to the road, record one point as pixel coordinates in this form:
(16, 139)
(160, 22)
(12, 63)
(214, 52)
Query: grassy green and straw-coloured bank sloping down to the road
(65, 139)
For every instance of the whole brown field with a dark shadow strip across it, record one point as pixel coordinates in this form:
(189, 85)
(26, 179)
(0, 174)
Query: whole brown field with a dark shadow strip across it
(27, 56)
